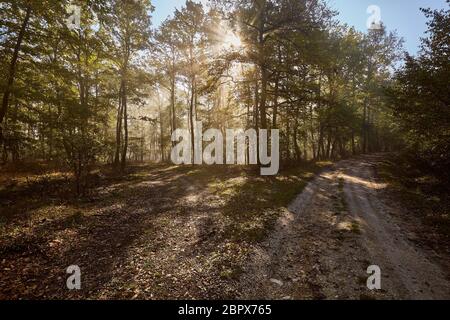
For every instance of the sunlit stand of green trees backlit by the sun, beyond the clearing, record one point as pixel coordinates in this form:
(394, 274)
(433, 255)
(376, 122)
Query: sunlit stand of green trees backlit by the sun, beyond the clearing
(116, 88)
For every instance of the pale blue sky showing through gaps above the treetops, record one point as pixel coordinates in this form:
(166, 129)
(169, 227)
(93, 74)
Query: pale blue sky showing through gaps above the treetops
(401, 15)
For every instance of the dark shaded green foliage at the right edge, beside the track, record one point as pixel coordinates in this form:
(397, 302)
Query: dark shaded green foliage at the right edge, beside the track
(420, 95)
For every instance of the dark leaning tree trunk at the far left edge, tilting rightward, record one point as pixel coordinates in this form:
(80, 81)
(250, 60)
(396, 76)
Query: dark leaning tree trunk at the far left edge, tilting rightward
(12, 71)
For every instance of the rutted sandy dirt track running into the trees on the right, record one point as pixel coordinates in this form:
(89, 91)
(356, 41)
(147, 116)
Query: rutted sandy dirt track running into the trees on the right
(340, 225)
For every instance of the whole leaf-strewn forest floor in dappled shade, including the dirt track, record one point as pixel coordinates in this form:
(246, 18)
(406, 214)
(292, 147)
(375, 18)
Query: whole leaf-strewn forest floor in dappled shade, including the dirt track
(166, 232)
